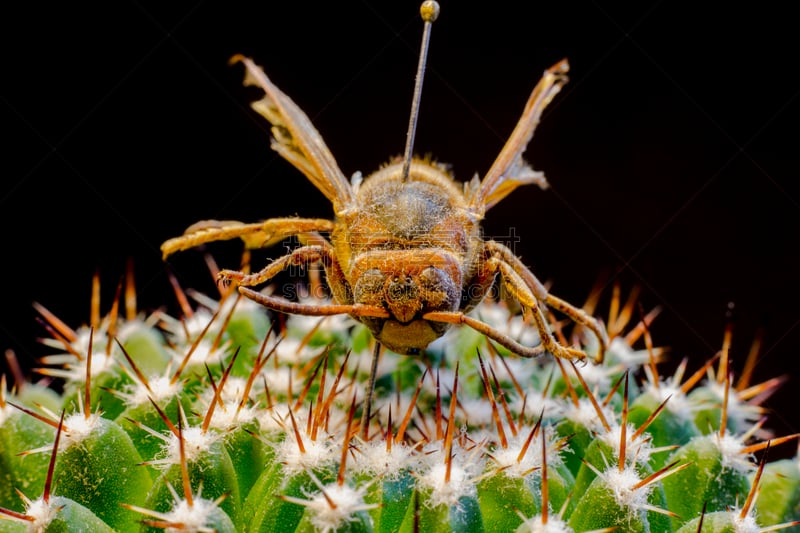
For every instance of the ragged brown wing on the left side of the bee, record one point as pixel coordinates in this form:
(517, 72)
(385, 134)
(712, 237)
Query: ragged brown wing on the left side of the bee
(296, 139)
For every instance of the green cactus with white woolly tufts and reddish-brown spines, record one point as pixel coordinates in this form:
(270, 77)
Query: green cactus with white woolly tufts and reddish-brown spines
(232, 419)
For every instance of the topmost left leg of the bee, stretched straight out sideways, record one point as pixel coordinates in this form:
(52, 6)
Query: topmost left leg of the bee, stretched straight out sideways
(257, 235)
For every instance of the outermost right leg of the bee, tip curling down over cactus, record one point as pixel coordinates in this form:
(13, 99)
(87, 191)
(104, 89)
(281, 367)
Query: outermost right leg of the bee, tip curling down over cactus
(524, 286)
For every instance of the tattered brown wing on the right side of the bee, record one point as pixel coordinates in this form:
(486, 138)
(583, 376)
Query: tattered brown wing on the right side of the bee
(510, 170)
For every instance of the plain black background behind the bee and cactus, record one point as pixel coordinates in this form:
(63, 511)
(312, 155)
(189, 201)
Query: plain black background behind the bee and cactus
(672, 153)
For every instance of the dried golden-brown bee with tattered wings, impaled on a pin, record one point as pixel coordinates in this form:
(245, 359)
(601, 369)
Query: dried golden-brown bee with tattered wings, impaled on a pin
(405, 254)
